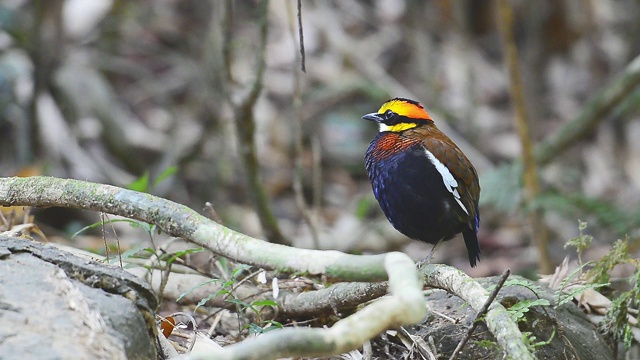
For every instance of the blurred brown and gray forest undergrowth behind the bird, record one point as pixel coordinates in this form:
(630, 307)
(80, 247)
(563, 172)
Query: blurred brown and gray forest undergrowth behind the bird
(110, 90)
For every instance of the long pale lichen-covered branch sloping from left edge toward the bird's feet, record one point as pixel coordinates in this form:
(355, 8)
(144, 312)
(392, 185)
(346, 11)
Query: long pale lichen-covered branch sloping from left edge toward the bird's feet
(179, 220)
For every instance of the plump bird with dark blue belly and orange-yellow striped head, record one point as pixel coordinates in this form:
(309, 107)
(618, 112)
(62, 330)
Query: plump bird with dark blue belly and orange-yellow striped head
(425, 185)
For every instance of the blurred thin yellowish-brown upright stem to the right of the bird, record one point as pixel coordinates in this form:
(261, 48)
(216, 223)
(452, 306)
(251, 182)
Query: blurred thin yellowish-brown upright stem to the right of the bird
(530, 171)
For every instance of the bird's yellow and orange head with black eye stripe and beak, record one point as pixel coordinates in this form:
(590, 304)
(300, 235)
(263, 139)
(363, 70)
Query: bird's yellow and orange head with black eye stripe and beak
(399, 114)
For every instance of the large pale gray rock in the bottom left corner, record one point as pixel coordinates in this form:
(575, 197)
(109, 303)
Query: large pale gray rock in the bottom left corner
(54, 305)
